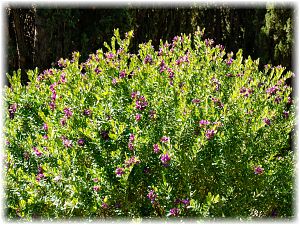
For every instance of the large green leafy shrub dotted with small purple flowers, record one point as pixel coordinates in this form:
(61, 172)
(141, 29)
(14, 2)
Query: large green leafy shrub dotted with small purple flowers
(186, 131)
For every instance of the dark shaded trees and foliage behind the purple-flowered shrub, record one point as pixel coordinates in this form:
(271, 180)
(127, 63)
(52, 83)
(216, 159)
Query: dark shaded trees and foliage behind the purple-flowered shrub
(38, 37)
